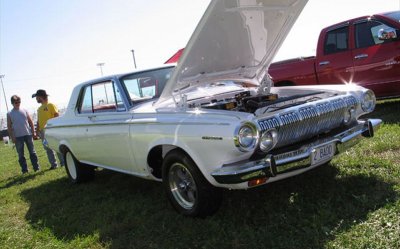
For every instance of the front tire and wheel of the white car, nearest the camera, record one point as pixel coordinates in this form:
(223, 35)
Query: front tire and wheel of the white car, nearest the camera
(186, 188)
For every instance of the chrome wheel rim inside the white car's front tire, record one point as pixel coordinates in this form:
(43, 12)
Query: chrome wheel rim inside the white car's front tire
(182, 186)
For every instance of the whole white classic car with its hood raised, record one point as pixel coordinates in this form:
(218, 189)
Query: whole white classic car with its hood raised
(212, 121)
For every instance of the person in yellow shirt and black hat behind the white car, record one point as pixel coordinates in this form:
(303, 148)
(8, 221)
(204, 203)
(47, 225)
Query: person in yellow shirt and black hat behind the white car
(45, 112)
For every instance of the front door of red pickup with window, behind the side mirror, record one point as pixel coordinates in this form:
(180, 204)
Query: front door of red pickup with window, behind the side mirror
(376, 62)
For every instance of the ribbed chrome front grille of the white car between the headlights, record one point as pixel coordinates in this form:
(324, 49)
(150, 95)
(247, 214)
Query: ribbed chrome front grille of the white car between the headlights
(308, 120)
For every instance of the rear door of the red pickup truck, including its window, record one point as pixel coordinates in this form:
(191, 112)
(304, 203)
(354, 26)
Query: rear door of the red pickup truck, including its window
(334, 63)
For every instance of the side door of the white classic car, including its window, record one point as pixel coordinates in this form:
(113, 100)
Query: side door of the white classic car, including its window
(107, 134)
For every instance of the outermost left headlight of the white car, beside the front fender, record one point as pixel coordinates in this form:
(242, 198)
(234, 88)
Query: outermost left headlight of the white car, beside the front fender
(246, 137)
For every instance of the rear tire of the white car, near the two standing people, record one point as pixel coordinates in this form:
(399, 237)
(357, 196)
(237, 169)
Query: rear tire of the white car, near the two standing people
(76, 171)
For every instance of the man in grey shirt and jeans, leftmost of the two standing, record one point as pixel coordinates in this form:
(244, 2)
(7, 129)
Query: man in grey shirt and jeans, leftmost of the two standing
(22, 131)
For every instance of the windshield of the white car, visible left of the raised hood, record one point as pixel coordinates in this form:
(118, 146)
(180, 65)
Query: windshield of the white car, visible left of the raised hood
(146, 85)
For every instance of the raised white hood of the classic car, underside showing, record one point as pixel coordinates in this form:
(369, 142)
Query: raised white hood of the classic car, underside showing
(235, 40)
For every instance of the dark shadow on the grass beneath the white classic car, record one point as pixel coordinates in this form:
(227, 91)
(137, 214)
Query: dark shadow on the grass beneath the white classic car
(305, 211)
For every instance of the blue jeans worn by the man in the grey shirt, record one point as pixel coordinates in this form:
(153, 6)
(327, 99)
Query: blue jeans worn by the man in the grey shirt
(19, 145)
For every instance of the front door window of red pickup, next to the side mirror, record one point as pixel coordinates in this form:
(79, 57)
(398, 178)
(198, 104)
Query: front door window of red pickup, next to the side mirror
(366, 33)
